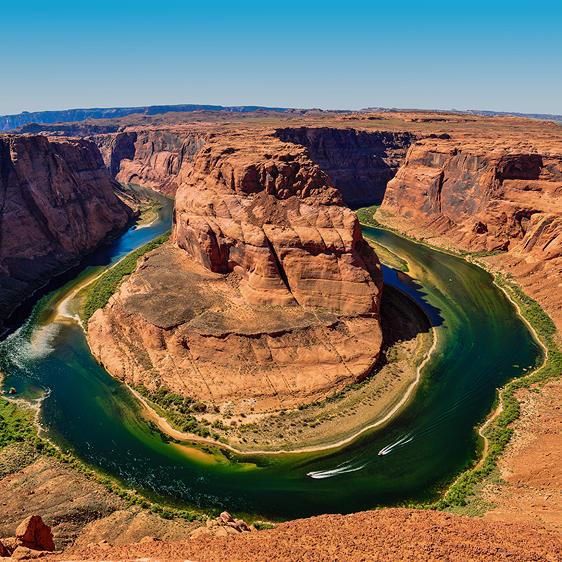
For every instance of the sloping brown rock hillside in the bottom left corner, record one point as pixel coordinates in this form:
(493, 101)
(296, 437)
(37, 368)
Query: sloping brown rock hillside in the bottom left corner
(78, 511)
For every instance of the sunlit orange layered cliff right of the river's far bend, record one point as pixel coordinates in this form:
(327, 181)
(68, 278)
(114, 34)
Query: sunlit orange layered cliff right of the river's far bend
(493, 194)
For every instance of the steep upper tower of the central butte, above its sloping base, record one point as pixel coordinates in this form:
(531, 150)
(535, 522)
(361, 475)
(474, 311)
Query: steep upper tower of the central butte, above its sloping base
(279, 224)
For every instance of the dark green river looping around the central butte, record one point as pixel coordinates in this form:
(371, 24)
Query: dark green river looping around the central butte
(481, 344)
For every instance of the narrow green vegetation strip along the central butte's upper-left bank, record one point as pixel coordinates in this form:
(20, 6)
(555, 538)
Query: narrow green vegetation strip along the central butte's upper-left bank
(101, 290)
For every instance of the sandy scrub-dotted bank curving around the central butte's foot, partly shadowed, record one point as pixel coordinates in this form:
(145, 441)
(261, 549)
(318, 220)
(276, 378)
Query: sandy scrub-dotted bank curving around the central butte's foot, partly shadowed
(329, 424)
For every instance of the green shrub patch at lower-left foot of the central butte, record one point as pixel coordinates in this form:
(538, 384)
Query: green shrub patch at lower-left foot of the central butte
(177, 411)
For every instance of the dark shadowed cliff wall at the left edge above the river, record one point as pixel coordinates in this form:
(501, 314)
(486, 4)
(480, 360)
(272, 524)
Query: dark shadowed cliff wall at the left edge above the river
(57, 202)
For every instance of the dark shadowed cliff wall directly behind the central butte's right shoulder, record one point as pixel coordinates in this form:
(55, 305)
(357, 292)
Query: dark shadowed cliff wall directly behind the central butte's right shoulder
(359, 163)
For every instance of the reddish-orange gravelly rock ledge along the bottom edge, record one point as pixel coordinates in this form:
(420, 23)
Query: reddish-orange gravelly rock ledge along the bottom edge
(389, 535)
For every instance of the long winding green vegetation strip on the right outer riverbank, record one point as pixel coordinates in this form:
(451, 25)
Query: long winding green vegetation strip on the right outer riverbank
(498, 433)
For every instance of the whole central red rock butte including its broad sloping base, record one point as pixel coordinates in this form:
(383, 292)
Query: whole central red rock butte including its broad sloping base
(269, 296)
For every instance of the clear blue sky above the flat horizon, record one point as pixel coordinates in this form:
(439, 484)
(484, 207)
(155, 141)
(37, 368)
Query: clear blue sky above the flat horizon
(496, 55)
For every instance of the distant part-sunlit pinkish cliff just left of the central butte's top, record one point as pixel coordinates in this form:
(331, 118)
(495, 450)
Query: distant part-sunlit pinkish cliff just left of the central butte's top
(157, 158)
